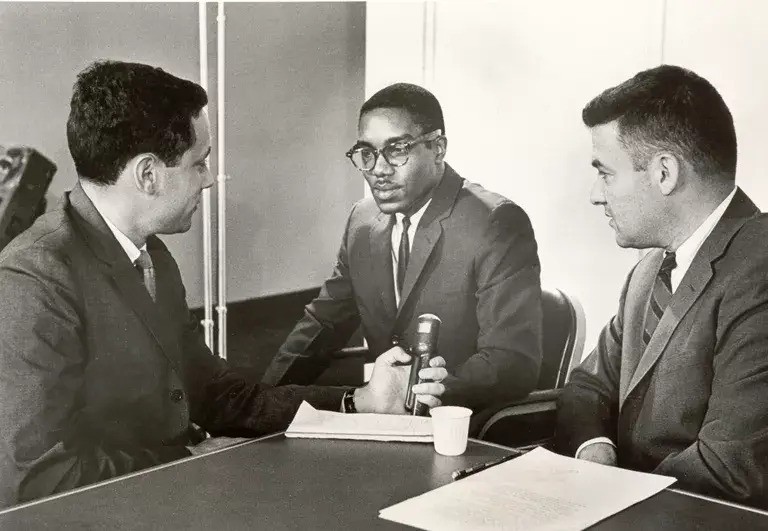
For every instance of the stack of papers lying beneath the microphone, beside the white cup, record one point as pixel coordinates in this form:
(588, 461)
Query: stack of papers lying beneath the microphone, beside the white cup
(312, 423)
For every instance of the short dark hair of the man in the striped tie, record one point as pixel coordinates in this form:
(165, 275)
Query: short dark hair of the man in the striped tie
(673, 109)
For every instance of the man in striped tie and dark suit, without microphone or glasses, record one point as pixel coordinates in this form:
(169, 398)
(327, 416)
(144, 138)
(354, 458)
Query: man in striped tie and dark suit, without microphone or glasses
(678, 382)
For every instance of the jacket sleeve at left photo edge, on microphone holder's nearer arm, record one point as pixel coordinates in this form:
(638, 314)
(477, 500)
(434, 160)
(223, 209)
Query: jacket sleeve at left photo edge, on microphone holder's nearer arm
(44, 446)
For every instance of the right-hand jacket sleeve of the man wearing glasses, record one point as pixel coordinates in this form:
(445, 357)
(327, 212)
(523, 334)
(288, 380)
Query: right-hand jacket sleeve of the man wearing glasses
(506, 364)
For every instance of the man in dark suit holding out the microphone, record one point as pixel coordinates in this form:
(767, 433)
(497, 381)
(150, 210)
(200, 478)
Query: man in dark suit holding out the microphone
(102, 367)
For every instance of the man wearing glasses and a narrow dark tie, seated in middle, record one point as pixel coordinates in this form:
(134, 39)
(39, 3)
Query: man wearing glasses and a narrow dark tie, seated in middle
(427, 241)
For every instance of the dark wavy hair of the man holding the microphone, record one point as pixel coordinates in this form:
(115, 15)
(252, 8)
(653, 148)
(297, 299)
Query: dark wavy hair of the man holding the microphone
(119, 110)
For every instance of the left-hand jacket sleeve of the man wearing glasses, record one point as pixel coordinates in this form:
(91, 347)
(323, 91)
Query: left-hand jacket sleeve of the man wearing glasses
(328, 323)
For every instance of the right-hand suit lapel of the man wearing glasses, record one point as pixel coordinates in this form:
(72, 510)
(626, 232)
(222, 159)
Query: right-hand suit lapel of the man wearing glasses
(429, 232)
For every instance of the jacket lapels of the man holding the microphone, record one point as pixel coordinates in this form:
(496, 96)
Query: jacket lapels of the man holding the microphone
(122, 275)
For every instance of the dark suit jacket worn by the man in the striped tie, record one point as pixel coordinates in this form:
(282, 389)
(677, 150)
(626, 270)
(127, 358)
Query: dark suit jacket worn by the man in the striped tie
(694, 403)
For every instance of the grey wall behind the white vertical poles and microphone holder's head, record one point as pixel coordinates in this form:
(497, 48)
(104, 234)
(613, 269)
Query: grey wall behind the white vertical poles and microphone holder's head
(294, 82)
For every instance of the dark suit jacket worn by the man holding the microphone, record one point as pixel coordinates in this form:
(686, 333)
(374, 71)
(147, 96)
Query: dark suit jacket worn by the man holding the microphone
(96, 380)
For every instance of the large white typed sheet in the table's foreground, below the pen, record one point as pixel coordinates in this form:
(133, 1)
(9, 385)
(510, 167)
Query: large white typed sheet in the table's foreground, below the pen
(539, 491)
